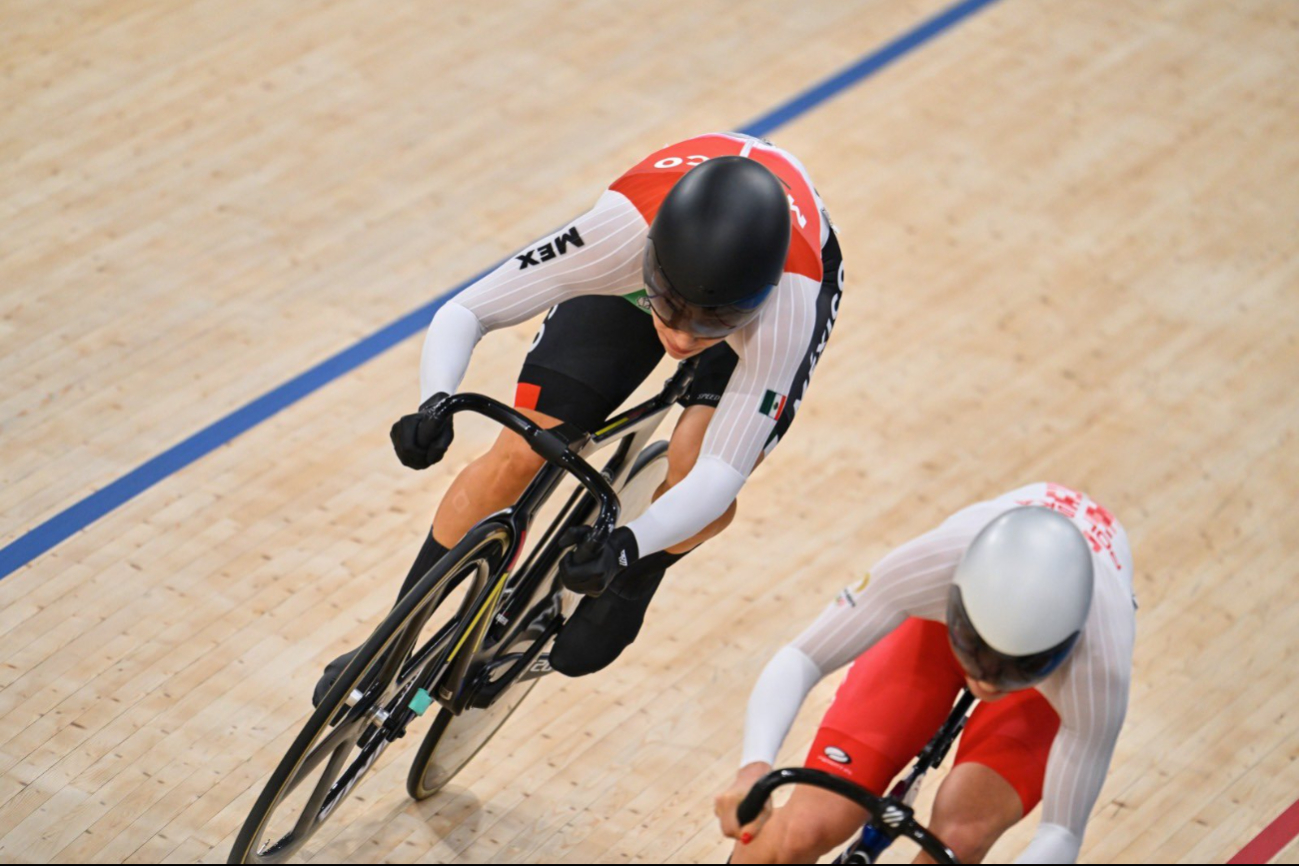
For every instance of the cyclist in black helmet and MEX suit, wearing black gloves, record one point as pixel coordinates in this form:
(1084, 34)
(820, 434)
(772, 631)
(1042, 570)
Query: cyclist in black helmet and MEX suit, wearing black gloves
(716, 247)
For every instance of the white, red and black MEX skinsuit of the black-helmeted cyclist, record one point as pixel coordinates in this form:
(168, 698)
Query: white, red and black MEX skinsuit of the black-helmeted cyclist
(598, 345)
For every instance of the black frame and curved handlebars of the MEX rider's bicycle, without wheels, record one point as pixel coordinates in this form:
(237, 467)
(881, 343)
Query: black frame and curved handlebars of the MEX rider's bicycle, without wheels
(462, 680)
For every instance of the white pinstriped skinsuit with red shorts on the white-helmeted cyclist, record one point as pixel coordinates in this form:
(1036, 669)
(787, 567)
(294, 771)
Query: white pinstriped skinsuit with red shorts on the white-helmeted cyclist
(906, 680)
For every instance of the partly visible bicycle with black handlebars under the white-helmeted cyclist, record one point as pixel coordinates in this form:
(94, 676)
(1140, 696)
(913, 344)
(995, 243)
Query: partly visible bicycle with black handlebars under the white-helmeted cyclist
(890, 817)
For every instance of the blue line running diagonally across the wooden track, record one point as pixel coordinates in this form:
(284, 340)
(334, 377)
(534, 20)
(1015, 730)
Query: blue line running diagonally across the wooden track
(146, 476)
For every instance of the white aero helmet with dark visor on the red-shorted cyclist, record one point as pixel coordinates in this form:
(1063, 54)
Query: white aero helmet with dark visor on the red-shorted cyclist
(1020, 598)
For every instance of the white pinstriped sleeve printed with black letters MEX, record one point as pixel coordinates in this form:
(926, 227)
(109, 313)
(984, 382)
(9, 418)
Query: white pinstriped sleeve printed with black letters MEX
(598, 254)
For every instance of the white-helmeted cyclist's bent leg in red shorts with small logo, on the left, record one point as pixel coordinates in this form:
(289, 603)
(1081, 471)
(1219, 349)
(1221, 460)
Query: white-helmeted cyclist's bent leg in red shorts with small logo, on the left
(892, 702)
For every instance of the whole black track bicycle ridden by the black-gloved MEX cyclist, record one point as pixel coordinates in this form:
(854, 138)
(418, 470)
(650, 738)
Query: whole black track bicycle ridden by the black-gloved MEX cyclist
(484, 660)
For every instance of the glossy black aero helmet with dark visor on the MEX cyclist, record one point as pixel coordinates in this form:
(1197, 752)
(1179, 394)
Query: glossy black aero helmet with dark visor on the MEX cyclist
(718, 247)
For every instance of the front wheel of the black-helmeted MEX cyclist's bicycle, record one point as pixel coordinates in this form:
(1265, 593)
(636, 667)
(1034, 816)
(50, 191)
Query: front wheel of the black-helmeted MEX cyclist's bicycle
(342, 726)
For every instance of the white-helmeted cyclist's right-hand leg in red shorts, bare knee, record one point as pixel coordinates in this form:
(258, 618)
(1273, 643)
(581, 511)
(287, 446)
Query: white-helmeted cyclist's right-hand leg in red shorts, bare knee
(1001, 765)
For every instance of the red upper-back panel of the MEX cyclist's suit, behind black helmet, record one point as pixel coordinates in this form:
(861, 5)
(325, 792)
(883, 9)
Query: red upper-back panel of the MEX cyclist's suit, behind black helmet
(646, 185)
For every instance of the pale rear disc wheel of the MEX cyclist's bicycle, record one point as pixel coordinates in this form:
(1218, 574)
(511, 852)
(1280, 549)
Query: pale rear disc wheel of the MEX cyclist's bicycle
(449, 746)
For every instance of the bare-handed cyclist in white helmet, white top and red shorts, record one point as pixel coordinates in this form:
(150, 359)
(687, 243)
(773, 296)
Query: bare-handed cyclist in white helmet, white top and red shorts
(1028, 602)
